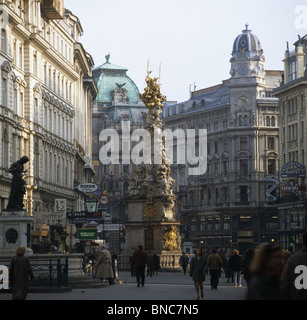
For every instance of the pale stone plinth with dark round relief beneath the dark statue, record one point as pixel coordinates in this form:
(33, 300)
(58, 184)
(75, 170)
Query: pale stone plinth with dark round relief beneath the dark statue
(15, 228)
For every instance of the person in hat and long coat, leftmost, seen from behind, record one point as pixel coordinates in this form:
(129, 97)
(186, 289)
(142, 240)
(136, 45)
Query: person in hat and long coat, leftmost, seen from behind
(19, 273)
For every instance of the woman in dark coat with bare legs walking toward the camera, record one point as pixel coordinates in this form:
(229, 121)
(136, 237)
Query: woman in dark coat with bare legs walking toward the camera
(197, 271)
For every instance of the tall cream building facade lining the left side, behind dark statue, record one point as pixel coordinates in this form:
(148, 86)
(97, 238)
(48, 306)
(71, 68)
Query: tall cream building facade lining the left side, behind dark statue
(46, 110)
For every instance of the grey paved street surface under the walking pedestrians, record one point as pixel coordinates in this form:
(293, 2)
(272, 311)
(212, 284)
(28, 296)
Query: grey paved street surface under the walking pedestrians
(165, 286)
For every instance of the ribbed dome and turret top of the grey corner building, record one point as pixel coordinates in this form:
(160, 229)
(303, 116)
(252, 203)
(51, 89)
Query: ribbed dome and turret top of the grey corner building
(247, 56)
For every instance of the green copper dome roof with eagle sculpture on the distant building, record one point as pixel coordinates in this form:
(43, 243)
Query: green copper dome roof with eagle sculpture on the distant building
(110, 77)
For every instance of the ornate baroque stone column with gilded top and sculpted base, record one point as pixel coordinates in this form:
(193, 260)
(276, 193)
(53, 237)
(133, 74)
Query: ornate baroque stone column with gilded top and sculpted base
(151, 204)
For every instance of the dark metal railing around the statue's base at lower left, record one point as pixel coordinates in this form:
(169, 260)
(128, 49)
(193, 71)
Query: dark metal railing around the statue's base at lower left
(47, 273)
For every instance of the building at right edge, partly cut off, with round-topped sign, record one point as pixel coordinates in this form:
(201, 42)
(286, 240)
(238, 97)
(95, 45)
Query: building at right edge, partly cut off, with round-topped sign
(292, 95)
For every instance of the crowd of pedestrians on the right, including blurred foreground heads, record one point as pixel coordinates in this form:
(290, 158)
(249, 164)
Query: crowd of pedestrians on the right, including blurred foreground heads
(270, 273)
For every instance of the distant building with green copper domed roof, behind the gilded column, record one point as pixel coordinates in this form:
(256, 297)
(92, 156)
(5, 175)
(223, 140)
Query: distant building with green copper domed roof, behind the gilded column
(117, 101)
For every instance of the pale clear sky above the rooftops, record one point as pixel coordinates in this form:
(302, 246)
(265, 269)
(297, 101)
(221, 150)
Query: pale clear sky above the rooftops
(187, 42)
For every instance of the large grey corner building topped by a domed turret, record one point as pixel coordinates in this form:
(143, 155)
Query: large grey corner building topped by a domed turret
(229, 206)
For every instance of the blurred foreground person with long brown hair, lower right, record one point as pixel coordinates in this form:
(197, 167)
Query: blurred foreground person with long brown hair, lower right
(264, 283)
